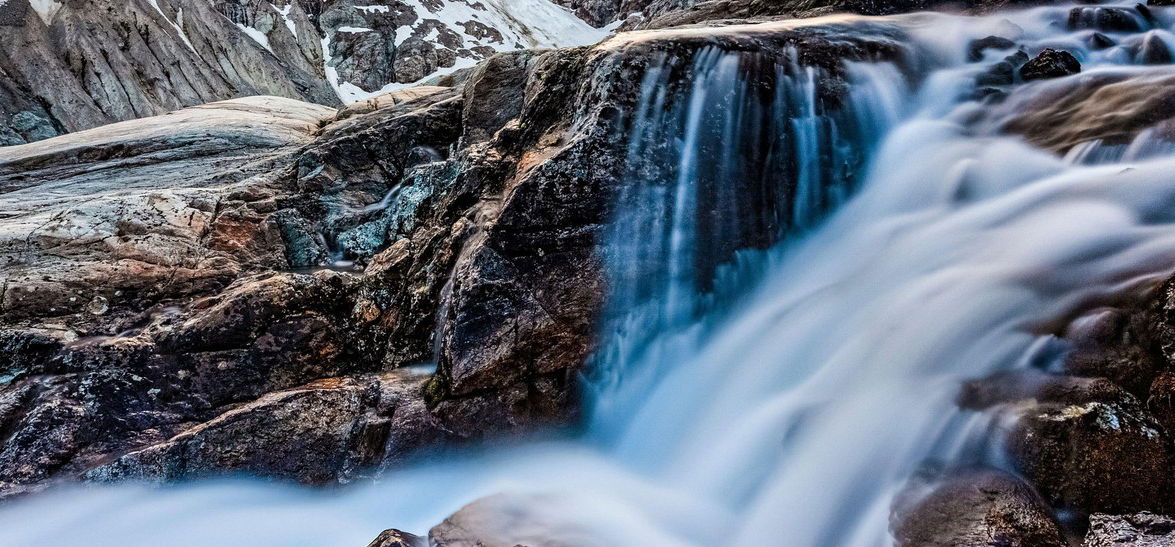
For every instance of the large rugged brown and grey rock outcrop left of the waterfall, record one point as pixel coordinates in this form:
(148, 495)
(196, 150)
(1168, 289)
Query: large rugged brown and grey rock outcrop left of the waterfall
(247, 286)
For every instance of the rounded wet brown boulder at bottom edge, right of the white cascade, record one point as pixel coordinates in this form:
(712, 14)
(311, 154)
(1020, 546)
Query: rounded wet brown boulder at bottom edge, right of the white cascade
(973, 509)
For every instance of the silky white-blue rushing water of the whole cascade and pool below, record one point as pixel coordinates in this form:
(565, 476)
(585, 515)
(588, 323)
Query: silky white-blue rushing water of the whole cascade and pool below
(788, 409)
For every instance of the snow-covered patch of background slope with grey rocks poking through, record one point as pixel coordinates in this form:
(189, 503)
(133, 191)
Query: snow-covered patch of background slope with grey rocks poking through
(373, 46)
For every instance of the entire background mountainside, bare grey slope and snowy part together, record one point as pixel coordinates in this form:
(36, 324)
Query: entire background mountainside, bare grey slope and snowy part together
(82, 65)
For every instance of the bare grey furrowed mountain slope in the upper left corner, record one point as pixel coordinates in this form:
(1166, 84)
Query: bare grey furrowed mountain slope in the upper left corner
(85, 65)
